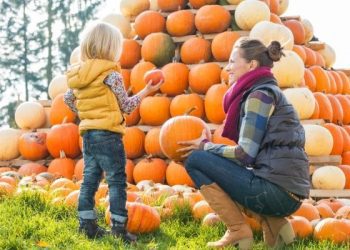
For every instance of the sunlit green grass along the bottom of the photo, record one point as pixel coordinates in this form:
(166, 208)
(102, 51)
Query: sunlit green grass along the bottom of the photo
(29, 221)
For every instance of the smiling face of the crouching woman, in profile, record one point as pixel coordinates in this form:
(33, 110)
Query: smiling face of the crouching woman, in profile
(237, 66)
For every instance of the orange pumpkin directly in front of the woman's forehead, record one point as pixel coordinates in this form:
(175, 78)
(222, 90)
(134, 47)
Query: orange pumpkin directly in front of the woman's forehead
(222, 45)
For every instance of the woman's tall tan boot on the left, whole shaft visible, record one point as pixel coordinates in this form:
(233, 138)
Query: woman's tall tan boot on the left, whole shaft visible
(238, 232)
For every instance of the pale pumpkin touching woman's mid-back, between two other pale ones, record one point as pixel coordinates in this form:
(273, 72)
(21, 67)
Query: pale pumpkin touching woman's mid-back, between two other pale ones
(318, 140)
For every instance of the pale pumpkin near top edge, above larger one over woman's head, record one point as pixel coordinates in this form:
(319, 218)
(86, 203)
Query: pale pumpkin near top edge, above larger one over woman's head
(250, 12)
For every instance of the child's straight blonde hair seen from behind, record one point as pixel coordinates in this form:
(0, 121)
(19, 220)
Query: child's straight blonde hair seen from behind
(101, 41)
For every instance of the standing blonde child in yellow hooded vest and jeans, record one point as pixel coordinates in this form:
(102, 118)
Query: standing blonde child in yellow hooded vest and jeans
(96, 92)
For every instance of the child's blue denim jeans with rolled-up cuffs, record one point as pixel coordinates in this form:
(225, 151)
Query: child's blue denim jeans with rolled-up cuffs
(103, 151)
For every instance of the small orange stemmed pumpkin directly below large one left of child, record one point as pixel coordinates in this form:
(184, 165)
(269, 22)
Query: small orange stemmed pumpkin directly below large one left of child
(62, 166)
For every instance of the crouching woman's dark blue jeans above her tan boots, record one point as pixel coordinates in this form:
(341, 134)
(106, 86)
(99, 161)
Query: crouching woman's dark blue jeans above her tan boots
(241, 184)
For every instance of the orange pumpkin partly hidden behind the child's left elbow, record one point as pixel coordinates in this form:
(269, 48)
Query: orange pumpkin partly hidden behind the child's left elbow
(60, 111)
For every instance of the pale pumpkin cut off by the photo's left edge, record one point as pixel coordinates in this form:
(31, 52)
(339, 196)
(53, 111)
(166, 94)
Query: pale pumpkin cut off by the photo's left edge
(9, 138)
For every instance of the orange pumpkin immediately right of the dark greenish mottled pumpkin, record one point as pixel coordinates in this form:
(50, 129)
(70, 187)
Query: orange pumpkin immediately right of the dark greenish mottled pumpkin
(201, 54)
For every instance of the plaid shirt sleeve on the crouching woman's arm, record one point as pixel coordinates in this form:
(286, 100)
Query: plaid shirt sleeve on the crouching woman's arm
(258, 109)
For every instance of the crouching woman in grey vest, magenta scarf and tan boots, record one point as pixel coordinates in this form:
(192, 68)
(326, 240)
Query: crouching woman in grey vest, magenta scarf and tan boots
(266, 173)
